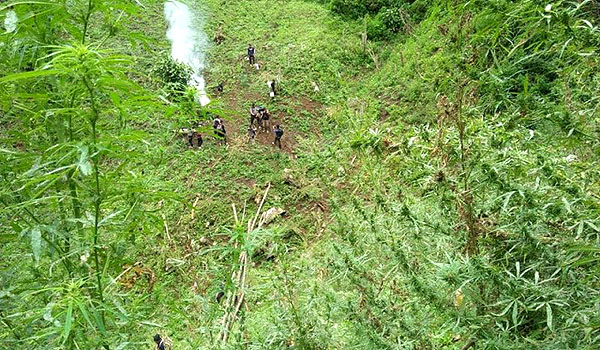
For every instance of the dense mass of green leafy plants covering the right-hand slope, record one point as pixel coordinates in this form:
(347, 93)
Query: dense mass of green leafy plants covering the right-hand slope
(495, 139)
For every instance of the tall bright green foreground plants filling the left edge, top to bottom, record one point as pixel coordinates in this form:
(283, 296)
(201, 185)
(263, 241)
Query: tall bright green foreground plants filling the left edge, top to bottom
(61, 188)
